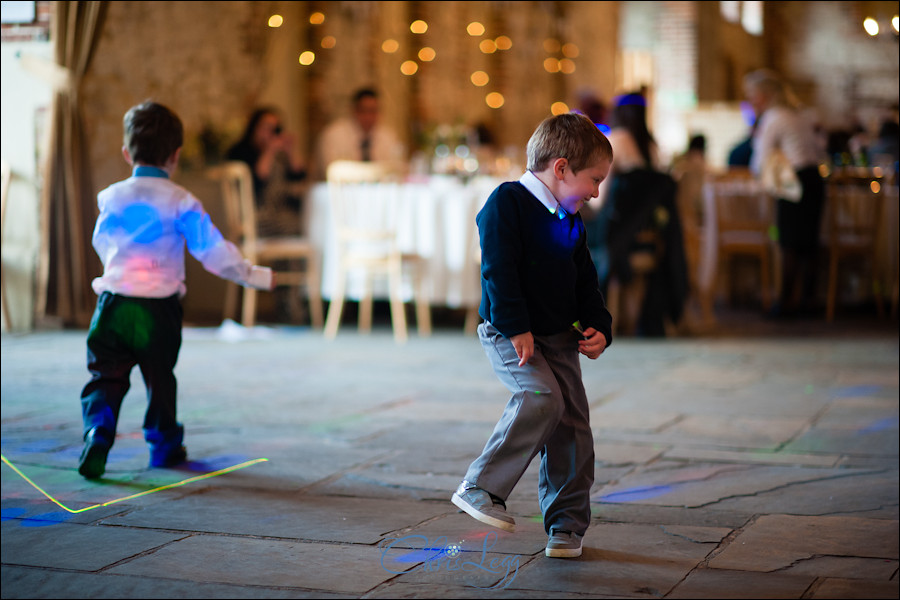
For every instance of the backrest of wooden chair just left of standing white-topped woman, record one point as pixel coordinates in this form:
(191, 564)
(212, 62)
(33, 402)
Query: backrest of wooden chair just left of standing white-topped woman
(740, 202)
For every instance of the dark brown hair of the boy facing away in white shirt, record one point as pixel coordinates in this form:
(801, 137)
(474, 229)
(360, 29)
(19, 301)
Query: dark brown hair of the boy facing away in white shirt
(152, 133)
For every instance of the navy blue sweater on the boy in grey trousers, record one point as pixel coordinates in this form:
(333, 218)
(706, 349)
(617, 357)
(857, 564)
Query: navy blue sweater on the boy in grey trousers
(536, 271)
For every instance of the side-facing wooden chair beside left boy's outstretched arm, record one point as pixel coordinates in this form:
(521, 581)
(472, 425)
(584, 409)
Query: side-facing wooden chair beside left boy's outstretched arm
(240, 207)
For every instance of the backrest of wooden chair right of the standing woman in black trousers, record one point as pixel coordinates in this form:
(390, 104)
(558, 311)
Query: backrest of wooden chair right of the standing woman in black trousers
(854, 210)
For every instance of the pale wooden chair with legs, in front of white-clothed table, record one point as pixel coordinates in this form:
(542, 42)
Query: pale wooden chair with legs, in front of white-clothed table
(366, 236)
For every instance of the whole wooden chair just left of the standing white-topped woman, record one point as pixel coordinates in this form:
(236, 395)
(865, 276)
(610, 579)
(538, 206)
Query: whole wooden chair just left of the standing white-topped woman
(739, 214)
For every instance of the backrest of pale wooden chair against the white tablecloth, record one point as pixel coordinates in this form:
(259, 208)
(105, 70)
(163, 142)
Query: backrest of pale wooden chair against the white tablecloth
(364, 215)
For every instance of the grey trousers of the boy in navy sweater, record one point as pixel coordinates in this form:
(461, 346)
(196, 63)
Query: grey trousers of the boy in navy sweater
(547, 414)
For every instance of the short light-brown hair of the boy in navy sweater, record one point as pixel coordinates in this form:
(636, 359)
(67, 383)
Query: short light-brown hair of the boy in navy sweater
(571, 136)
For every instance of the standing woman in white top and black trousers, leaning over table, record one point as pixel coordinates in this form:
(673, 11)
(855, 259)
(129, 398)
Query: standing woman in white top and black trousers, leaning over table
(781, 127)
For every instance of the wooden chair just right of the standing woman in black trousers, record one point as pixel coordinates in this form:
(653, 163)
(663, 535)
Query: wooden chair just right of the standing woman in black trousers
(854, 210)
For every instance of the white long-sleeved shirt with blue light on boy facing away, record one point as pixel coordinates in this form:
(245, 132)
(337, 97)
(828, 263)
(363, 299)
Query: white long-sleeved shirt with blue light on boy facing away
(144, 225)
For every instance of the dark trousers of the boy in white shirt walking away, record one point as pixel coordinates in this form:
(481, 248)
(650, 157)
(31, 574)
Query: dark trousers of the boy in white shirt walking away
(126, 332)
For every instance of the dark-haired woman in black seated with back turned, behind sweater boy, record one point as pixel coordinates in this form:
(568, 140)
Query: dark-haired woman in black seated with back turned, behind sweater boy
(638, 196)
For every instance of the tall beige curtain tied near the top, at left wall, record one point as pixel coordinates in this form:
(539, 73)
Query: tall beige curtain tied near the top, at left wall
(68, 201)
